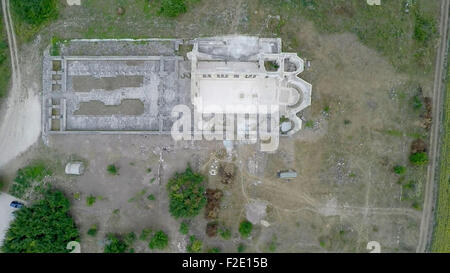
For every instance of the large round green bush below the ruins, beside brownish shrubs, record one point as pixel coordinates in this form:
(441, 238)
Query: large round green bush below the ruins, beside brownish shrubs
(186, 194)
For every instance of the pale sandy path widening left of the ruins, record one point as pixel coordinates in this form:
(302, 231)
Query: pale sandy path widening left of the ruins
(20, 126)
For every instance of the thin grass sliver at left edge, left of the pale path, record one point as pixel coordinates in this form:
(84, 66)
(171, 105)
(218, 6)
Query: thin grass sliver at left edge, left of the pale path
(5, 70)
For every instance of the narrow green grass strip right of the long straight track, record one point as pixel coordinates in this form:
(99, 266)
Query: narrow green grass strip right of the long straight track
(441, 239)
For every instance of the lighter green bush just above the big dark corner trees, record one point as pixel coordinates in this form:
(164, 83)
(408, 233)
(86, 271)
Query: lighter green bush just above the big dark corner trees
(26, 177)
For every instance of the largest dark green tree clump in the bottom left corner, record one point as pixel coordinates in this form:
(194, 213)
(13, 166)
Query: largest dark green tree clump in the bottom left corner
(45, 227)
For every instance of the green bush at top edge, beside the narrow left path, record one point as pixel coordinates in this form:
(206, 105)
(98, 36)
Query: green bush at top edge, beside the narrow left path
(35, 12)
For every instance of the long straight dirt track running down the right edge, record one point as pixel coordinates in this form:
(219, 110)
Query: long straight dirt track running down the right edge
(426, 225)
